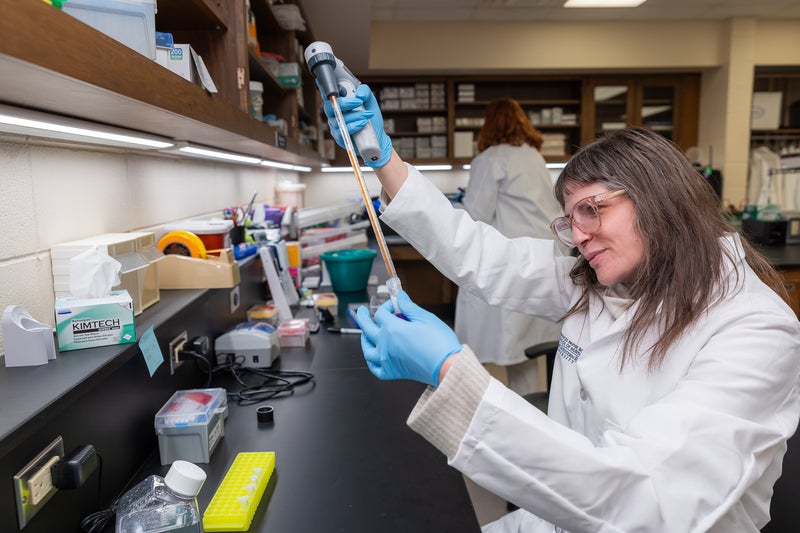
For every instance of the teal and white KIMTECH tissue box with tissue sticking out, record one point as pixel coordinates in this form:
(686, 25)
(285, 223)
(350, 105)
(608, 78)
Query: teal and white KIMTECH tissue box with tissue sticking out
(89, 322)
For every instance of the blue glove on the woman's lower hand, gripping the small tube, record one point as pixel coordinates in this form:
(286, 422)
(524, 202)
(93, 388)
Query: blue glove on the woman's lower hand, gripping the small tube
(405, 349)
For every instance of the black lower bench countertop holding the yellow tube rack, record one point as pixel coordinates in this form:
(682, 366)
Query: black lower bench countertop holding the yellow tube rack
(345, 458)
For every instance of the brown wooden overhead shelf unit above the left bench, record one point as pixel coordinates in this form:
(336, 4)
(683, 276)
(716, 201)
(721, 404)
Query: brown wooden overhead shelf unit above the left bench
(52, 62)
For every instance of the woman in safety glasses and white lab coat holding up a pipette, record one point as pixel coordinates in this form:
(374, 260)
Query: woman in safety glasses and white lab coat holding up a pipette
(676, 382)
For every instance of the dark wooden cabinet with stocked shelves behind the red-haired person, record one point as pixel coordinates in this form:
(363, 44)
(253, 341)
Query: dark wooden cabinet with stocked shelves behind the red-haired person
(569, 110)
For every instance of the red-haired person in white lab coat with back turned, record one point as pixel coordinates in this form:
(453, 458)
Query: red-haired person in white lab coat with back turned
(511, 189)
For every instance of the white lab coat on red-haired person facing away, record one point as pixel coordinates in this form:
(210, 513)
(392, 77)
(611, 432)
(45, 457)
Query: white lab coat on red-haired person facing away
(511, 189)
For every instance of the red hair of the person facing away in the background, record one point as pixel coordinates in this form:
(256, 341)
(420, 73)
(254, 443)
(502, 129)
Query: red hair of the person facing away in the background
(506, 123)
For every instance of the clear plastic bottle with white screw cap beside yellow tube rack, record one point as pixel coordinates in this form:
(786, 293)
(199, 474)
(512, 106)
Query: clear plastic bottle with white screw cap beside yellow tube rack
(159, 504)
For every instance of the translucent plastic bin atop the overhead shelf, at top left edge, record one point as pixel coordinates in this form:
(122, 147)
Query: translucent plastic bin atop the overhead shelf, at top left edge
(131, 22)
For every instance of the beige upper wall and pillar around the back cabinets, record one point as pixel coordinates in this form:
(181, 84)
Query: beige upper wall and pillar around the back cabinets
(725, 52)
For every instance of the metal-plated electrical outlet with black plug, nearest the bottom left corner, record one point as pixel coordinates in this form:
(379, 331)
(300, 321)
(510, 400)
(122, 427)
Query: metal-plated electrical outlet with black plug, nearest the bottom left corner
(33, 485)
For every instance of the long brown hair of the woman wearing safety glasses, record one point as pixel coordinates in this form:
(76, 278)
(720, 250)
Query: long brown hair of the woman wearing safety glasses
(681, 223)
